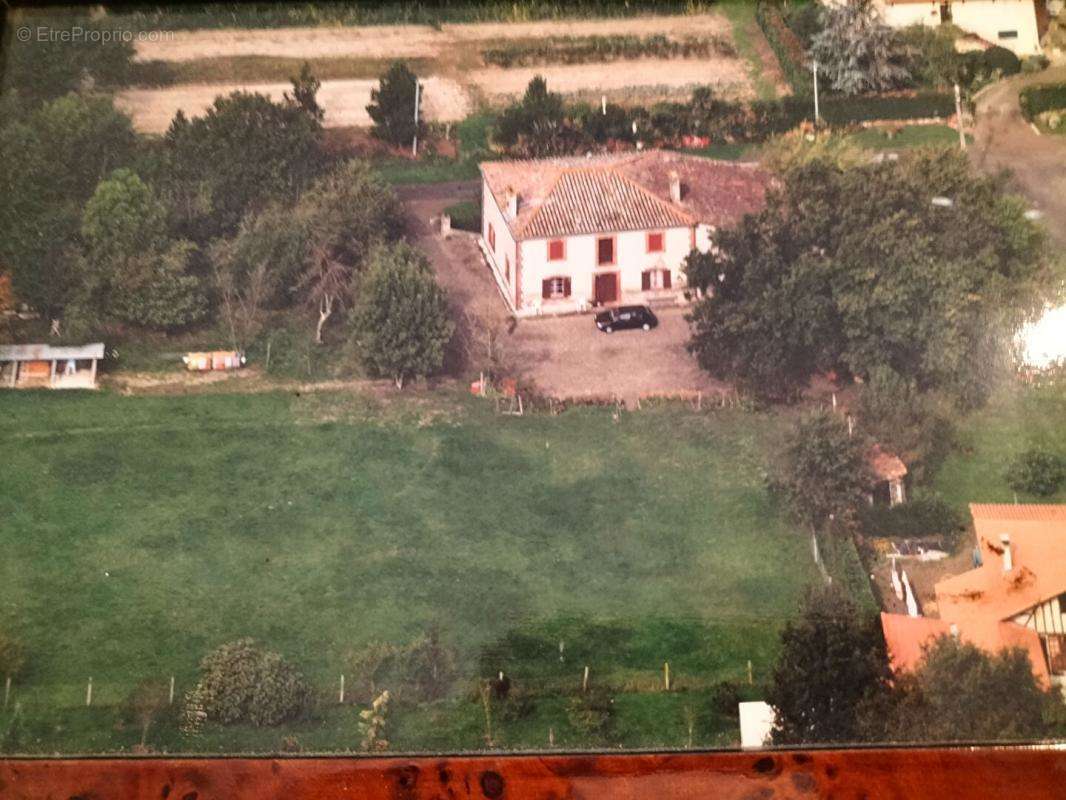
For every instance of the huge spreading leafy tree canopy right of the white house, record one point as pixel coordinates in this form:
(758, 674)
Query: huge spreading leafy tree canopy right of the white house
(855, 269)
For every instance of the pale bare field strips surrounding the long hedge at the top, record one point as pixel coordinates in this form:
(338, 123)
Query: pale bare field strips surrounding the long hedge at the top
(457, 75)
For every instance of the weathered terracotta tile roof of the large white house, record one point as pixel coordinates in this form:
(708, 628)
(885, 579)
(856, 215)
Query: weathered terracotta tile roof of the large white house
(629, 191)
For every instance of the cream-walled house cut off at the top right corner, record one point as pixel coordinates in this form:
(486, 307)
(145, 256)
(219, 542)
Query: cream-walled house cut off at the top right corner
(1012, 24)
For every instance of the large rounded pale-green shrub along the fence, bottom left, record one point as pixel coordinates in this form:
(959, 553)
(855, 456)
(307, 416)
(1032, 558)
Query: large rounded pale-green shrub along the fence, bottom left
(243, 683)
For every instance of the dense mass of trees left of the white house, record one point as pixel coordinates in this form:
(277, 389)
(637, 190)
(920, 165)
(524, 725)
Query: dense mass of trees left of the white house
(230, 218)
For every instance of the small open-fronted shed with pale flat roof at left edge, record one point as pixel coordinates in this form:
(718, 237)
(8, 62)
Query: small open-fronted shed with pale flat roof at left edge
(44, 366)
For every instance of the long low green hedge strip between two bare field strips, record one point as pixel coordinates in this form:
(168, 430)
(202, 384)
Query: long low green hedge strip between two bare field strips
(584, 50)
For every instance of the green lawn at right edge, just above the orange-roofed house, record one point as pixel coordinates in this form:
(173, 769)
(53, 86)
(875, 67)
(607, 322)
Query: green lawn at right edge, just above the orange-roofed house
(1017, 419)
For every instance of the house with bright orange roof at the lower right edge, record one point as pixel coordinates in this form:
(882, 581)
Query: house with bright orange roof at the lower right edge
(1015, 599)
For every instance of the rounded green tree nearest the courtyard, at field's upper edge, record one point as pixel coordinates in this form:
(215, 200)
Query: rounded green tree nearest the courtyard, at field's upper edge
(401, 323)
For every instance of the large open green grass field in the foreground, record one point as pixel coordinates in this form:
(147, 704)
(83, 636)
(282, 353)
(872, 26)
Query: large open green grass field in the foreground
(140, 533)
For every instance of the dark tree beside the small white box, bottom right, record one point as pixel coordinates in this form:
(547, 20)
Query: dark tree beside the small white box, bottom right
(832, 665)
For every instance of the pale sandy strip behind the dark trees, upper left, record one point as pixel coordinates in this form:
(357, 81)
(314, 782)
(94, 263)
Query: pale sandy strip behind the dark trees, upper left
(345, 102)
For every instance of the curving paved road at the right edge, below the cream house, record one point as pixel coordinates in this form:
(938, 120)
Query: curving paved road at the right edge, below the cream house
(1004, 139)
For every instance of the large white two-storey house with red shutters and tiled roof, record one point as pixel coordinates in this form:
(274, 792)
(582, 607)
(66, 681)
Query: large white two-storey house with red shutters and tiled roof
(569, 234)
